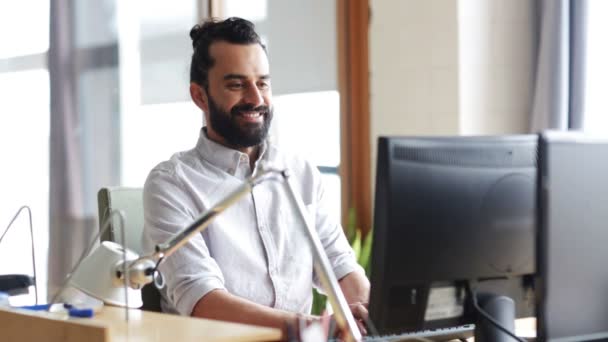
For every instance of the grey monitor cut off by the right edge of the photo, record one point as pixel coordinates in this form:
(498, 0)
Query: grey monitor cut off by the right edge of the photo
(573, 236)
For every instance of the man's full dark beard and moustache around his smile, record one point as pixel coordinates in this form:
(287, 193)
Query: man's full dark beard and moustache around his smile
(238, 134)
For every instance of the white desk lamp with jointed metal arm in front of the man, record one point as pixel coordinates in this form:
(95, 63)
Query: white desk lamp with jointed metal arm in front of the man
(138, 271)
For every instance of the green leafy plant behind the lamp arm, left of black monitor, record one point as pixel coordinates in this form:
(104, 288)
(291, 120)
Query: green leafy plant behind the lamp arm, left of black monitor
(362, 248)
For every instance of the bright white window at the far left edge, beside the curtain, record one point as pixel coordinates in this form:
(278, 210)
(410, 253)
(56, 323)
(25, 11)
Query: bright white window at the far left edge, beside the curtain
(24, 138)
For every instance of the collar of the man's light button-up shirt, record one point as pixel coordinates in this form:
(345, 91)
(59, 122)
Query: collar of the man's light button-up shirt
(225, 158)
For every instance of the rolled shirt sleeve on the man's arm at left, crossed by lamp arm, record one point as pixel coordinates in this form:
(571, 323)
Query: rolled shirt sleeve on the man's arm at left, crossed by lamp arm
(190, 273)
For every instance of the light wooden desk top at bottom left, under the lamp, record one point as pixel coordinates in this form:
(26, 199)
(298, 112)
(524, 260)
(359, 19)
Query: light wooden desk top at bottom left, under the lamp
(109, 325)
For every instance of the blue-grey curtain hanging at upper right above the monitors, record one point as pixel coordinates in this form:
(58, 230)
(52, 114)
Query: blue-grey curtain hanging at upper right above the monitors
(560, 70)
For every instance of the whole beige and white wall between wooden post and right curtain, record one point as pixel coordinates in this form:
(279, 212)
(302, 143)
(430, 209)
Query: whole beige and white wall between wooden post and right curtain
(445, 67)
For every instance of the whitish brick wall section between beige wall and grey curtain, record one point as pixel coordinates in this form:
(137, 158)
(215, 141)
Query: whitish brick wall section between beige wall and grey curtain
(496, 65)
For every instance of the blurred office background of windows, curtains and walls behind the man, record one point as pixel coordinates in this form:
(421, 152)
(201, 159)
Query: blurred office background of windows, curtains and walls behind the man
(95, 93)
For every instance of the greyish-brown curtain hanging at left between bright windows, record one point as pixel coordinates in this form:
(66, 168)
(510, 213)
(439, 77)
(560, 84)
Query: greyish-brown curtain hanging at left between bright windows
(69, 230)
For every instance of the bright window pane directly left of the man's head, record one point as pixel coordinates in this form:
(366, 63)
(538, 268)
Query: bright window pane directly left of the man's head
(157, 117)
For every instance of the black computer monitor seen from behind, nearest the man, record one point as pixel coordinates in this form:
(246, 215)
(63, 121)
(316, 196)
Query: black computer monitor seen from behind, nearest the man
(449, 211)
